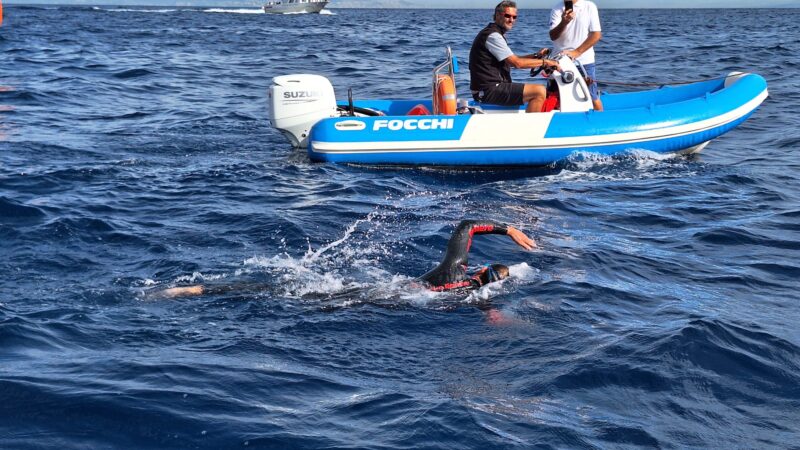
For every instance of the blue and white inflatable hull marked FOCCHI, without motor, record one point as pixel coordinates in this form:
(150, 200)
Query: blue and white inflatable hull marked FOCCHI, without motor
(670, 119)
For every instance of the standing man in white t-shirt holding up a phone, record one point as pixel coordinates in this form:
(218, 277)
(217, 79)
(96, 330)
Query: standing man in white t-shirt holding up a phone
(574, 31)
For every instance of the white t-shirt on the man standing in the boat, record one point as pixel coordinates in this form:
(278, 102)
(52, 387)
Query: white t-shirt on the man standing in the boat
(586, 20)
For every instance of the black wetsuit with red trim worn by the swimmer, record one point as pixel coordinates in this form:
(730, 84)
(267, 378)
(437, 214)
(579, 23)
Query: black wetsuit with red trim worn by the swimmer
(451, 273)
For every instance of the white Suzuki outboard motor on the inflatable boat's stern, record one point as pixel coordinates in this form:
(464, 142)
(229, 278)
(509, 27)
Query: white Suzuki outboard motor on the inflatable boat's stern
(299, 101)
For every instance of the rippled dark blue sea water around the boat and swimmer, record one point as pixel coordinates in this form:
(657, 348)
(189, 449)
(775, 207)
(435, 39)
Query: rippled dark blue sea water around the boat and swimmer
(135, 154)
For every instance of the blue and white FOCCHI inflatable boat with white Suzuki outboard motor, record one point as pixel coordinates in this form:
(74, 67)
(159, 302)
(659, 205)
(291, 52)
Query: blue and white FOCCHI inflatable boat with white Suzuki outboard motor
(444, 130)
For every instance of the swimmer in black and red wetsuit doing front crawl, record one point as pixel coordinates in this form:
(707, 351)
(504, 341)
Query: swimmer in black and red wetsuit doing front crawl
(450, 274)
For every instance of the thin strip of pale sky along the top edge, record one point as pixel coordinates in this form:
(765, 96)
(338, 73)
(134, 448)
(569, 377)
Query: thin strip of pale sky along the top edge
(472, 4)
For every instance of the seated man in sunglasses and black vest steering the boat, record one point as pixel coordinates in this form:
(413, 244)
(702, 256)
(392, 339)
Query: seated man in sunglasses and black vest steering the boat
(491, 60)
